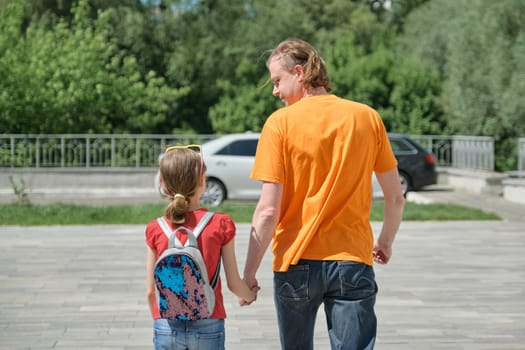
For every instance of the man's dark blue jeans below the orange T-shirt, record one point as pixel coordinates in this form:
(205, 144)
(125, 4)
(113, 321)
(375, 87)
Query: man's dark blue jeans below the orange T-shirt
(348, 291)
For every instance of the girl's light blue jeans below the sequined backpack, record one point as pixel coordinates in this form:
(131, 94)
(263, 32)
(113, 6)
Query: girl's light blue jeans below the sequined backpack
(205, 334)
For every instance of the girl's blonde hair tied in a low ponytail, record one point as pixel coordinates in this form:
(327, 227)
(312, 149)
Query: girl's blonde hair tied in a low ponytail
(180, 174)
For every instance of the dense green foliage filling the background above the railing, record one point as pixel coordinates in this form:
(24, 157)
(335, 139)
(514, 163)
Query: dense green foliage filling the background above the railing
(198, 66)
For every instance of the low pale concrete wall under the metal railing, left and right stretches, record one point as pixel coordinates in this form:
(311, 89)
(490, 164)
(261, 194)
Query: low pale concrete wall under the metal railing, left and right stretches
(103, 185)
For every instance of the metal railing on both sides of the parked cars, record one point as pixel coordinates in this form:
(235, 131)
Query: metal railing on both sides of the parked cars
(112, 150)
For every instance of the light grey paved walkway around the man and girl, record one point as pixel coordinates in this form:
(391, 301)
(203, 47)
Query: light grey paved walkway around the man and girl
(450, 285)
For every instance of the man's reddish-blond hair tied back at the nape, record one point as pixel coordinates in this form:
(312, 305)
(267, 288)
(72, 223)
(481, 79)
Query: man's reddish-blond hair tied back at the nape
(296, 51)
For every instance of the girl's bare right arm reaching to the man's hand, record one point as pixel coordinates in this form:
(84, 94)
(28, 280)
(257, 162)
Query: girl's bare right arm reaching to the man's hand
(233, 278)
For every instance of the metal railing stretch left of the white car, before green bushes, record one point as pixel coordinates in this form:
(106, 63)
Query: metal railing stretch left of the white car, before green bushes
(85, 151)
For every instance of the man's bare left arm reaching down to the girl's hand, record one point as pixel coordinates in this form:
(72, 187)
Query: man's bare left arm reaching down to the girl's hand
(264, 222)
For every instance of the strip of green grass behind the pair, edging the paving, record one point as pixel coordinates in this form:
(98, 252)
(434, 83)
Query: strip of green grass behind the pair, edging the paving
(67, 214)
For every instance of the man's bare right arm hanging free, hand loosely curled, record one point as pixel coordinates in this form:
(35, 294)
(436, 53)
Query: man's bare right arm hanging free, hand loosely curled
(393, 213)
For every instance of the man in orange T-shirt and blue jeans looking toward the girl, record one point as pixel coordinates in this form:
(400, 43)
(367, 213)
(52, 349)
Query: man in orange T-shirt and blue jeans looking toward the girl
(315, 158)
